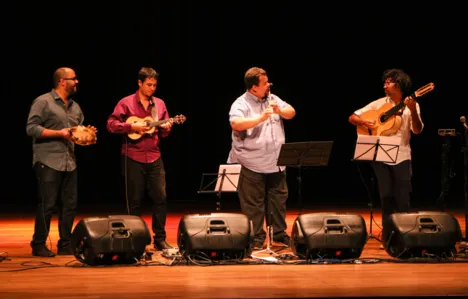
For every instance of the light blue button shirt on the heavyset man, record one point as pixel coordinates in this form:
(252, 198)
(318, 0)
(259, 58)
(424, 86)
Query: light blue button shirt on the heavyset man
(257, 148)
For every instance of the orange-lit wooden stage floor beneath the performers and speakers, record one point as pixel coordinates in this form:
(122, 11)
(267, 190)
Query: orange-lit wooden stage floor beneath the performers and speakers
(374, 274)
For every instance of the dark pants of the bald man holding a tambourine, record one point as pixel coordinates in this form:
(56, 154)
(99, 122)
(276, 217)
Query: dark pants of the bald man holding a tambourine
(55, 188)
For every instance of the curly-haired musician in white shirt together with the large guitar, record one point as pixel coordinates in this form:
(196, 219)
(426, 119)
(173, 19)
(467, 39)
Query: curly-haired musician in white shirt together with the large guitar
(396, 114)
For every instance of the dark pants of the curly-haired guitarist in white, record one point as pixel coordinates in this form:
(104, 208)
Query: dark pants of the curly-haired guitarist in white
(394, 183)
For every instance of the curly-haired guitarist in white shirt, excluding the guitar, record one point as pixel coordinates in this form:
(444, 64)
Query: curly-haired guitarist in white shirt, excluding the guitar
(394, 179)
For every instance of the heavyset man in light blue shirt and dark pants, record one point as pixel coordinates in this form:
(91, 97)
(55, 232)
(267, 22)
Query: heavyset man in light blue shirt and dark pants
(256, 119)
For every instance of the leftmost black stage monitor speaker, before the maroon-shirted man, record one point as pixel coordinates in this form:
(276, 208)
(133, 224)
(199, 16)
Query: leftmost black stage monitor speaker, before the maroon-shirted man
(117, 239)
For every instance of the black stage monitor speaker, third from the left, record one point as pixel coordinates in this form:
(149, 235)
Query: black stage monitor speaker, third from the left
(328, 235)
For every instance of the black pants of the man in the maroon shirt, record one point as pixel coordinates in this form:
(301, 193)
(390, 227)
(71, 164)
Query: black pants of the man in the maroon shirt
(150, 177)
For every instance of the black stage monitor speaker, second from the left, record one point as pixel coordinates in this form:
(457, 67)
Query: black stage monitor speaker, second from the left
(216, 236)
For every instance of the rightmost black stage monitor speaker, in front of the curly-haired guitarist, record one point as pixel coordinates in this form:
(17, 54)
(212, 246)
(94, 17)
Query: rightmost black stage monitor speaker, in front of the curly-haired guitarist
(407, 235)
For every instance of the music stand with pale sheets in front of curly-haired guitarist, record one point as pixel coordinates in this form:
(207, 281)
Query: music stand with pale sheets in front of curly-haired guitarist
(376, 149)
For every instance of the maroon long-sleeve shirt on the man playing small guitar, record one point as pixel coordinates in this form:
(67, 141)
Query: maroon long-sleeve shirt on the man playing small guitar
(146, 148)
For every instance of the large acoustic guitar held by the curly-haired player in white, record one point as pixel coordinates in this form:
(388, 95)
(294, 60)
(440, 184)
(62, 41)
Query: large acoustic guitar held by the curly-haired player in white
(387, 120)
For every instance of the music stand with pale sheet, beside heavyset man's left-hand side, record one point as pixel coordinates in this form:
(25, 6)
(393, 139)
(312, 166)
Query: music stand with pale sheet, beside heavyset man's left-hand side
(226, 181)
